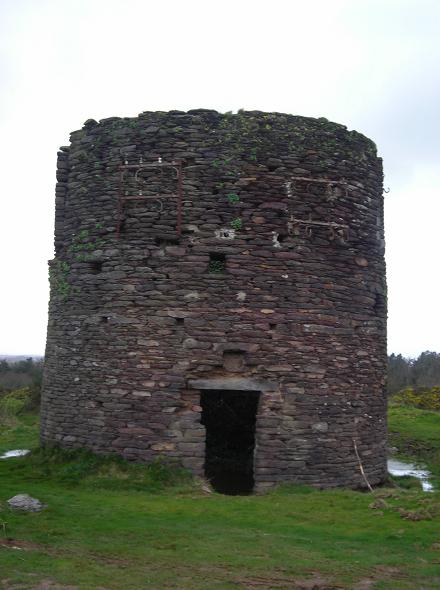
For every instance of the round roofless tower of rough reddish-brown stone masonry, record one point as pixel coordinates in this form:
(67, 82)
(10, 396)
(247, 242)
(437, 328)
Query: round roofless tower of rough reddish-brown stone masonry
(200, 252)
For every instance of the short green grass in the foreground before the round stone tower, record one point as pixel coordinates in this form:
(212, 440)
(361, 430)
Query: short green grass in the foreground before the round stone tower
(100, 533)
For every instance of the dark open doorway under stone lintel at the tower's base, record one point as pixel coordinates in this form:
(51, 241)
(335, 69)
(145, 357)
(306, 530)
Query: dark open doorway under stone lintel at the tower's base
(229, 418)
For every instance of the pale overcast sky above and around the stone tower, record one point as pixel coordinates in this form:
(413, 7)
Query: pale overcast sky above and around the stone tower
(371, 65)
